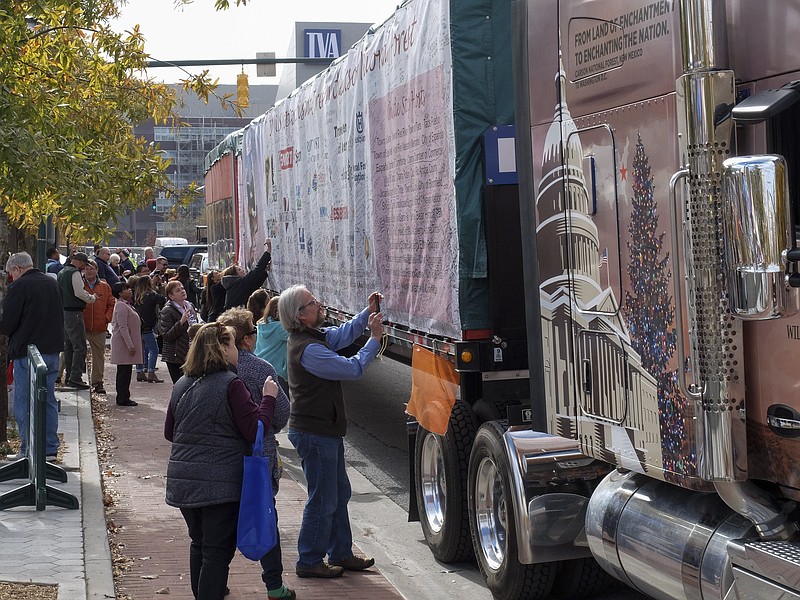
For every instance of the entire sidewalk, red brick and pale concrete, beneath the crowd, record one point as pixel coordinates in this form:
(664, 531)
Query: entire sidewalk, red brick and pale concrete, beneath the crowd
(70, 547)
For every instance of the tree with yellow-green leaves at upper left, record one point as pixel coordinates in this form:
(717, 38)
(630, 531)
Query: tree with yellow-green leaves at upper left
(71, 90)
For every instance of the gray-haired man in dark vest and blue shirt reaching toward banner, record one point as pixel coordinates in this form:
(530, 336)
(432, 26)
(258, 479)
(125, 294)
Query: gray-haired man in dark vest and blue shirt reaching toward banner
(318, 423)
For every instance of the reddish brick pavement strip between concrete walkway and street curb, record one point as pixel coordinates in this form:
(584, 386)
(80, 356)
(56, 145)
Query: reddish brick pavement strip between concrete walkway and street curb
(154, 534)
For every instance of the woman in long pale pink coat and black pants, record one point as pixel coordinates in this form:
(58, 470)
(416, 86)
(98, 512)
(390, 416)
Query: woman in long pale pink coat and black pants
(126, 341)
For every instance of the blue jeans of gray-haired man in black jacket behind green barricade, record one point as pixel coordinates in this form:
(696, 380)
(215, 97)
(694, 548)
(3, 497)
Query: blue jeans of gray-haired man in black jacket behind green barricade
(21, 408)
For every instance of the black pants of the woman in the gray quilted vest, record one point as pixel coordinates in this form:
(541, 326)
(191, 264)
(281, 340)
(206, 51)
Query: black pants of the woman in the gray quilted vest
(212, 530)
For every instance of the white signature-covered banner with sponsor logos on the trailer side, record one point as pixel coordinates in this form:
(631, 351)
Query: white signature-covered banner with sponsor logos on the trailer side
(352, 177)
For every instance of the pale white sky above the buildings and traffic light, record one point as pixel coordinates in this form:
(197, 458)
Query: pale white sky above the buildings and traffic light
(197, 31)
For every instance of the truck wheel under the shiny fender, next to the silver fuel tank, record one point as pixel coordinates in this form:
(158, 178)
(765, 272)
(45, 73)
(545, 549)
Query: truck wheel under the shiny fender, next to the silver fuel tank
(492, 523)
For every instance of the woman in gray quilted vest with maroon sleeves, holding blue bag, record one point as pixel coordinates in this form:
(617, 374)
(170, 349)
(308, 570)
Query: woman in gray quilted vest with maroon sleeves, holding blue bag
(212, 422)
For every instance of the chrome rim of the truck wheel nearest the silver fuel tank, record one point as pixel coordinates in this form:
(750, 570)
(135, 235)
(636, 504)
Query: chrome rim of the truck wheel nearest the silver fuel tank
(490, 514)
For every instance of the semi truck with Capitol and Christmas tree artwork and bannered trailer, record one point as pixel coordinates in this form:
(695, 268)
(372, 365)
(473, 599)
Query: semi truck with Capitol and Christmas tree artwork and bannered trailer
(590, 209)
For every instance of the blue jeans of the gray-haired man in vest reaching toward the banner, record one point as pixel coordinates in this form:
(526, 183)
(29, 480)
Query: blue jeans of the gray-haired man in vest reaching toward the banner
(326, 524)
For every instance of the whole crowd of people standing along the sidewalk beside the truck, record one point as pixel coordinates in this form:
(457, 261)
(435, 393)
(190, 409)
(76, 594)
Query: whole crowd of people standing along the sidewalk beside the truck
(233, 361)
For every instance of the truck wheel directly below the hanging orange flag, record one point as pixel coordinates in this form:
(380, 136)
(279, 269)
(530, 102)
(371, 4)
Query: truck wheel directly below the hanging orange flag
(441, 478)
